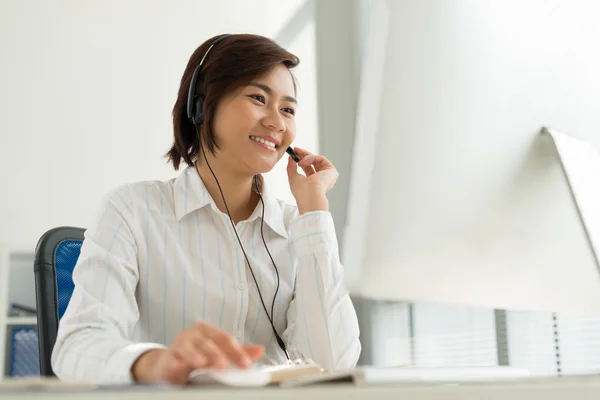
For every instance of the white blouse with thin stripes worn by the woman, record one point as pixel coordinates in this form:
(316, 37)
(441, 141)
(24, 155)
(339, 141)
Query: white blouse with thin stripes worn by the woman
(160, 256)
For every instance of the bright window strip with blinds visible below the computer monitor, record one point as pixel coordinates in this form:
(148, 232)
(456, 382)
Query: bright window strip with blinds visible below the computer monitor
(438, 335)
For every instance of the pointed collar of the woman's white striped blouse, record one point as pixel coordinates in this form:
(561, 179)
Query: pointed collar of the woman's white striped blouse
(190, 194)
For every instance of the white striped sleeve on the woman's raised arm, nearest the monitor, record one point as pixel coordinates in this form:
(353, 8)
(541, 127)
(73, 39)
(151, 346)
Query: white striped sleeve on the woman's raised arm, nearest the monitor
(322, 322)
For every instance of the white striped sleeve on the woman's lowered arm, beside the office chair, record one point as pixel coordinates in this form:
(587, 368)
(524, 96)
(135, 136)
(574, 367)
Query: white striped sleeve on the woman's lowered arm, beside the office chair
(93, 340)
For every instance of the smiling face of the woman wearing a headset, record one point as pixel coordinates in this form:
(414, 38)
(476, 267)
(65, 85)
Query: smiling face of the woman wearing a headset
(256, 123)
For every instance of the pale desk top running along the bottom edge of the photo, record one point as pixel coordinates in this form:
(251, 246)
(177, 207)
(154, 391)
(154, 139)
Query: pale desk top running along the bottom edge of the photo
(575, 388)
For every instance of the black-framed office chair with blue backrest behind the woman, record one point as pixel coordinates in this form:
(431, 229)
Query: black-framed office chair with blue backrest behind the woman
(56, 254)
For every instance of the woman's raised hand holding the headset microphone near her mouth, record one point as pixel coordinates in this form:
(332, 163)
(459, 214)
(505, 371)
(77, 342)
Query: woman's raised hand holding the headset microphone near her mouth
(310, 190)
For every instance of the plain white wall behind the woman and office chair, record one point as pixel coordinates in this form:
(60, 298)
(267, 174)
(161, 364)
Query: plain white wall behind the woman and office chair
(87, 93)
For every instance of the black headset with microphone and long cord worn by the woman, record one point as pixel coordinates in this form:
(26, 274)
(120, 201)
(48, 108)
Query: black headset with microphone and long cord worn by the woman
(195, 105)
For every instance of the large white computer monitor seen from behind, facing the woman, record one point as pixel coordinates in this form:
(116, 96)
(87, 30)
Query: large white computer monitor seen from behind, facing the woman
(455, 196)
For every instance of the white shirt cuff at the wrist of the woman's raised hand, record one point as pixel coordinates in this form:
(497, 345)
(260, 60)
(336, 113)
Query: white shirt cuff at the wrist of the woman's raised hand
(313, 231)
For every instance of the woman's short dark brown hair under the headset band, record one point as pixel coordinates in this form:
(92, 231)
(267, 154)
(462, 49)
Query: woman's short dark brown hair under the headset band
(233, 63)
